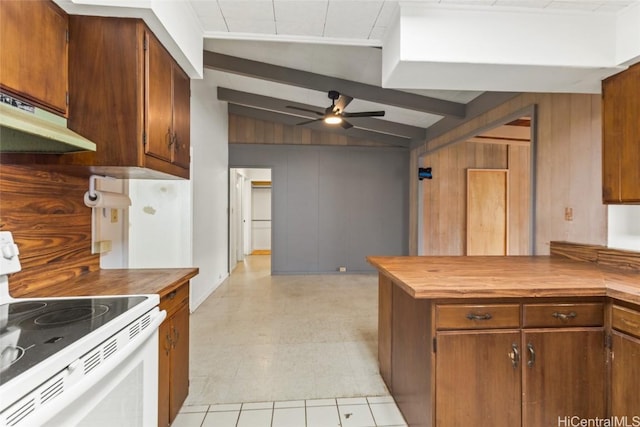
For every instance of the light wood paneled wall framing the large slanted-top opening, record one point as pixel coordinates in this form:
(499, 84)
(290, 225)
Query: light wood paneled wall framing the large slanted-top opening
(569, 153)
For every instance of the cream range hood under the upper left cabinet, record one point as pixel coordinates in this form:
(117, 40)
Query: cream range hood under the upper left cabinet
(27, 129)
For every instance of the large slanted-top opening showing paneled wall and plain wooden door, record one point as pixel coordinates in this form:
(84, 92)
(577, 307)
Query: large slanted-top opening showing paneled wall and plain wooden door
(505, 148)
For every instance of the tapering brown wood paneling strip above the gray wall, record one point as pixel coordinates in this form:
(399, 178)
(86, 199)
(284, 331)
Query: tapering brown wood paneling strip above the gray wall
(246, 130)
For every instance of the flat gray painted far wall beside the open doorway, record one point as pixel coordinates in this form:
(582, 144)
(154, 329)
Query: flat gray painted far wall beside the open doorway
(332, 206)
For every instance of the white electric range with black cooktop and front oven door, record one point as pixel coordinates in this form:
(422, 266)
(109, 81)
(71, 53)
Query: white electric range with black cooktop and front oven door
(76, 361)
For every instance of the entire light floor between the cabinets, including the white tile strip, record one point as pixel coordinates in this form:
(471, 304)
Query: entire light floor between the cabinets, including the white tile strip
(293, 344)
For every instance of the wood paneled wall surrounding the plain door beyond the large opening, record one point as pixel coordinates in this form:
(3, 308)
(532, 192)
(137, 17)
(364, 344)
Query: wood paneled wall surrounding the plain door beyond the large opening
(444, 197)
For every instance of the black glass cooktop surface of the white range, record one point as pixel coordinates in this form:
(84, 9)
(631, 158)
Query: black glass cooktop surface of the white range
(32, 331)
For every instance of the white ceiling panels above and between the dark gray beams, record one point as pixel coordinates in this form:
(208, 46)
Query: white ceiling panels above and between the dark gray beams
(335, 38)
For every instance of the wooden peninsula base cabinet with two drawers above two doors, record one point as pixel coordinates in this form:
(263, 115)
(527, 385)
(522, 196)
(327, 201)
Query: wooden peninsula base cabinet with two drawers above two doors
(507, 362)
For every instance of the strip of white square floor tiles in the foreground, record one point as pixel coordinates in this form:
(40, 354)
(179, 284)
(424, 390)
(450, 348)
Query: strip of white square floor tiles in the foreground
(377, 411)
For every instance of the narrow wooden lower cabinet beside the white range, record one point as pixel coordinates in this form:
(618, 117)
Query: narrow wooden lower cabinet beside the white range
(173, 366)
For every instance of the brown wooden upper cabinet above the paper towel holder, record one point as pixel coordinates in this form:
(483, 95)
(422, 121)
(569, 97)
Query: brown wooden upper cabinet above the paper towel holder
(121, 80)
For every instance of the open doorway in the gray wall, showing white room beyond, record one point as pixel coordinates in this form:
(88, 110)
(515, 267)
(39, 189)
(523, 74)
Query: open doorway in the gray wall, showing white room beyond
(249, 213)
